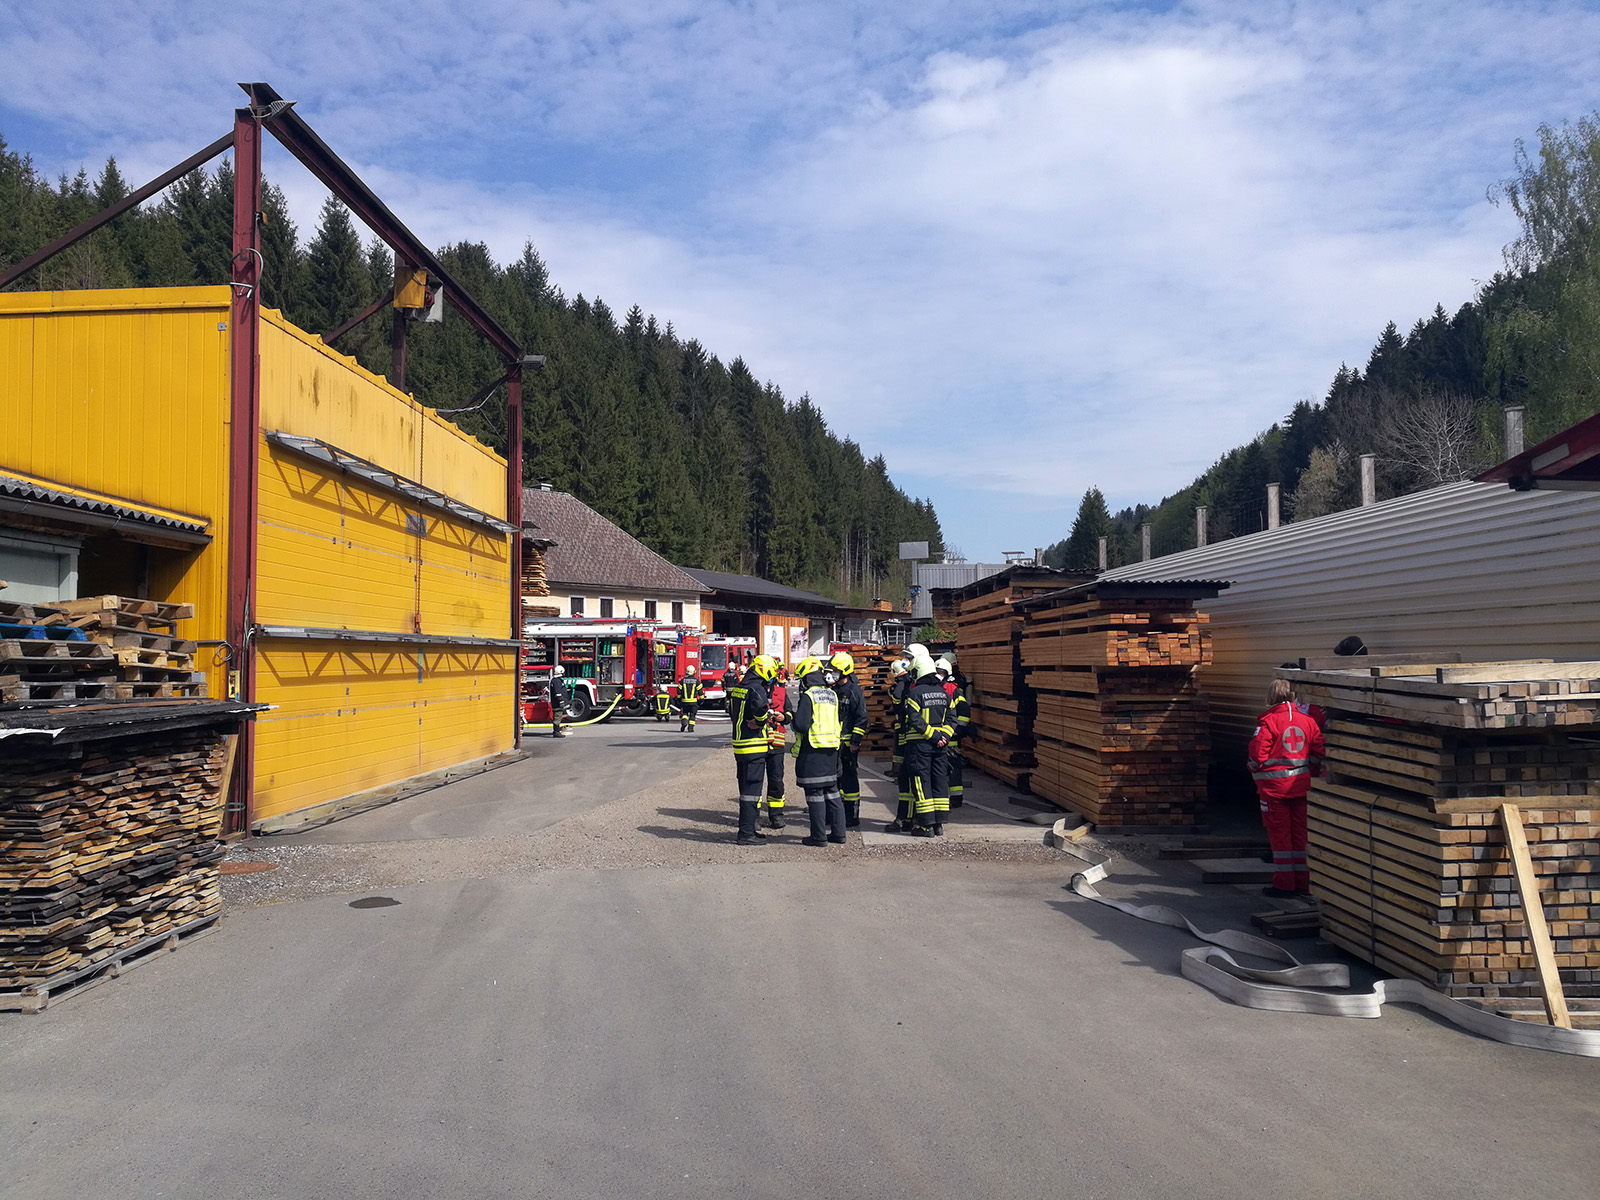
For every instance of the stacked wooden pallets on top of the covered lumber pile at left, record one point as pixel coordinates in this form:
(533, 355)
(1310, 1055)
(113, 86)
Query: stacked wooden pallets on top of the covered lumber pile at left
(102, 649)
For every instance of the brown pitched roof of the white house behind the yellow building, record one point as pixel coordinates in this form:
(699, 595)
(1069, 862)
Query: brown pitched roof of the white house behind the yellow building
(594, 553)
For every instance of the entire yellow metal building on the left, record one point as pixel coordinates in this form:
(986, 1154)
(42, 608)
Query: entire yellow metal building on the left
(382, 561)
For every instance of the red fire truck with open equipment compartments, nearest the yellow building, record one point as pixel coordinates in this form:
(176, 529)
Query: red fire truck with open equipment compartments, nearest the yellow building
(606, 662)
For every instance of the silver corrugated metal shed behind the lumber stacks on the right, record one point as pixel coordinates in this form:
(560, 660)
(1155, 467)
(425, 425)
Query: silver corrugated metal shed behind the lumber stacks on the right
(1468, 567)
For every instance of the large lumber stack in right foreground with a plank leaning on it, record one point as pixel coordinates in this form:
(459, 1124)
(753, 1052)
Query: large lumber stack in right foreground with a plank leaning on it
(1409, 847)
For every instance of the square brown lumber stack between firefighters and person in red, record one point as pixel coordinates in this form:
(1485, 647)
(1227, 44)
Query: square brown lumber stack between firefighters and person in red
(1122, 732)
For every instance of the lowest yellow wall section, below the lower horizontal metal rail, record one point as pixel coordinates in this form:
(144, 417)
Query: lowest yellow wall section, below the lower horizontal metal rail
(358, 718)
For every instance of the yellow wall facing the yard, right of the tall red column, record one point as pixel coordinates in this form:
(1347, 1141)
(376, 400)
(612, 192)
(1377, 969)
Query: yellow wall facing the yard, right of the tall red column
(338, 554)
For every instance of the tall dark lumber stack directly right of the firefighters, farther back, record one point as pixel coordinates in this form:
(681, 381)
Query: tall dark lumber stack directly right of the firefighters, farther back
(988, 636)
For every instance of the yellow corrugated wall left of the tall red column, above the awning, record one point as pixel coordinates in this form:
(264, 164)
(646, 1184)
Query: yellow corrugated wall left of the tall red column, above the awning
(124, 394)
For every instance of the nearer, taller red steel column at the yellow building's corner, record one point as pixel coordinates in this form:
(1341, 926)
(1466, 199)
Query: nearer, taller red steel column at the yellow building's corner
(242, 457)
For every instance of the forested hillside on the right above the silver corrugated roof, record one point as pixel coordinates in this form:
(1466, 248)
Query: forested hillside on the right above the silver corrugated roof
(1428, 402)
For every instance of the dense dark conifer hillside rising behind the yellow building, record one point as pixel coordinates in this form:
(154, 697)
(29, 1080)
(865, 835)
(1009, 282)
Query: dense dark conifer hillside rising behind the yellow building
(698, 458)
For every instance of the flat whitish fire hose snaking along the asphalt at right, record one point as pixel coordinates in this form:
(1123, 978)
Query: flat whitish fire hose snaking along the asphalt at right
(1286, 990)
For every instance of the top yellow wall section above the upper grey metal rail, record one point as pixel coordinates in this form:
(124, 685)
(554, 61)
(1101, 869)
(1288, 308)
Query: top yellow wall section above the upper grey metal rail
(311, 390)
